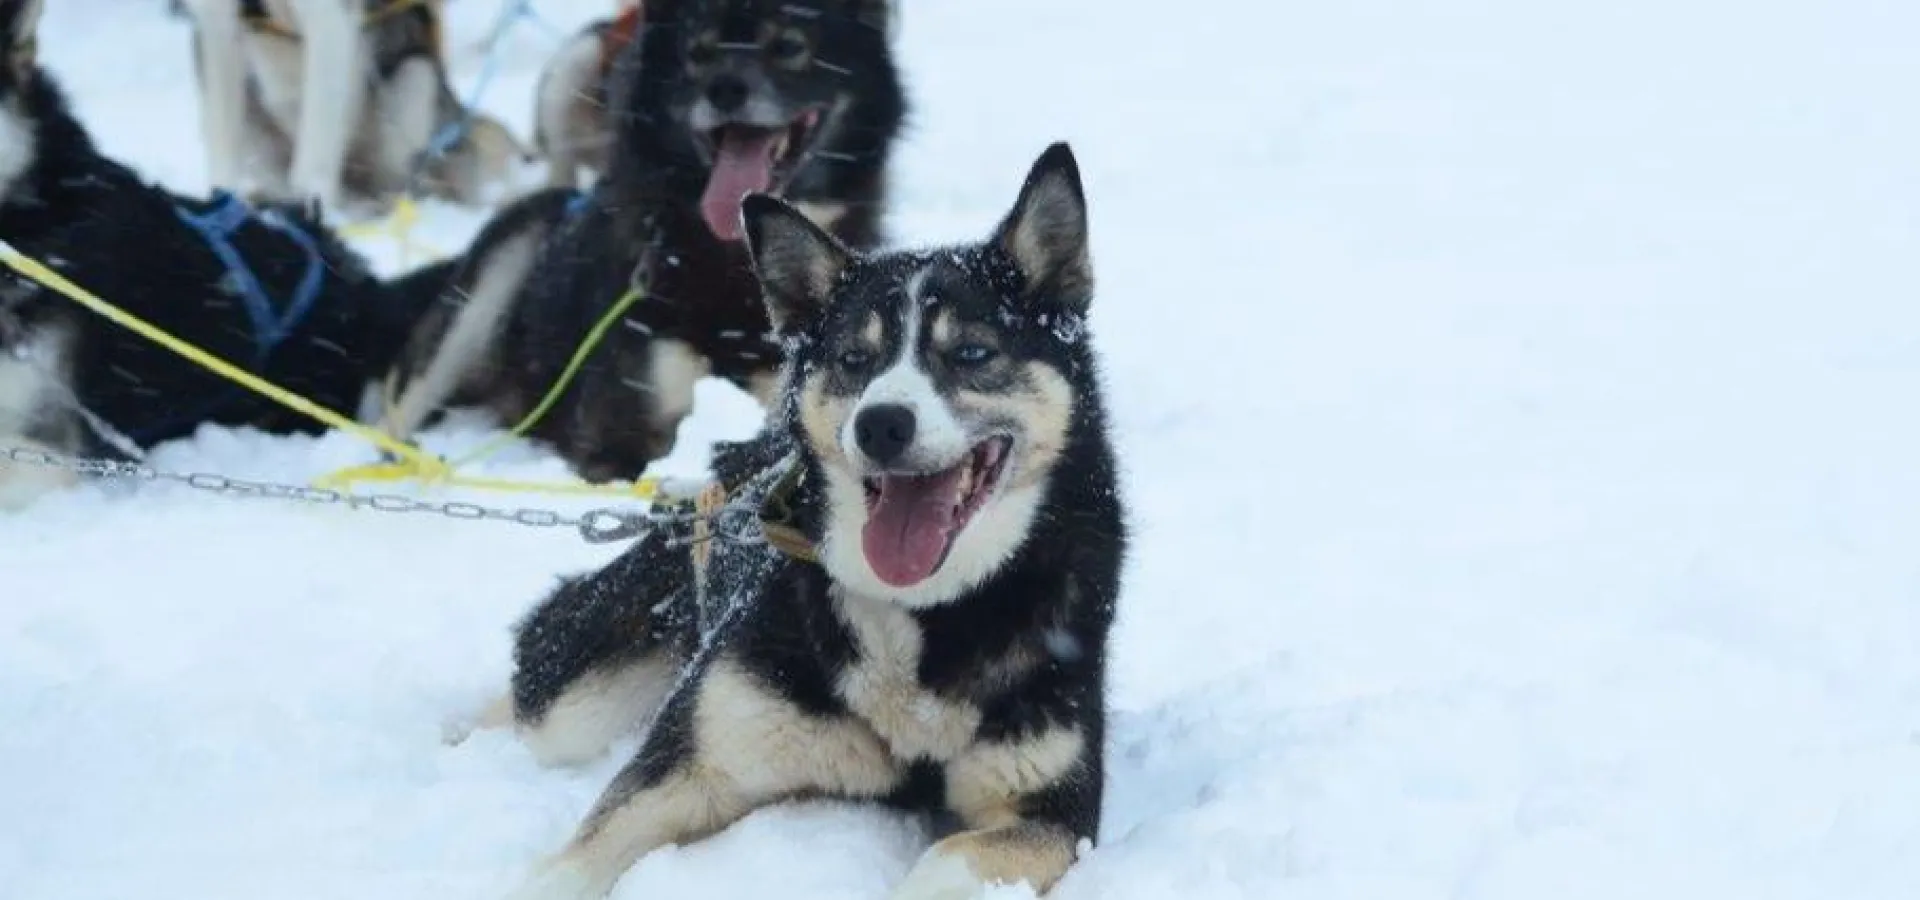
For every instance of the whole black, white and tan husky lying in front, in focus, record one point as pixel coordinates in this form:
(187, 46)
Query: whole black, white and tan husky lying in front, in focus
(942, 648)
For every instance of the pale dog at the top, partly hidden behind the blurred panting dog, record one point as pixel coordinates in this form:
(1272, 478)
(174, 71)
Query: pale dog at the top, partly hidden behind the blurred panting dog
(571, 126)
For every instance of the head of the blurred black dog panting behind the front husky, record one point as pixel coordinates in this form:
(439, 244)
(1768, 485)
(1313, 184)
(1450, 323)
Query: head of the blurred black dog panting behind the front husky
(757, 97)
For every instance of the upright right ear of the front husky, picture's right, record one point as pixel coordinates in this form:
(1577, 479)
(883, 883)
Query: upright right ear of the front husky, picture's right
(1047, 231)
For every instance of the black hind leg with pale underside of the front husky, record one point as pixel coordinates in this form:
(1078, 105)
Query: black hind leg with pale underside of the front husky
(594, 661)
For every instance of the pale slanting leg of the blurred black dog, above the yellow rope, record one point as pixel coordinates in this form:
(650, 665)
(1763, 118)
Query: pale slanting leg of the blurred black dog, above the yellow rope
(469, 341)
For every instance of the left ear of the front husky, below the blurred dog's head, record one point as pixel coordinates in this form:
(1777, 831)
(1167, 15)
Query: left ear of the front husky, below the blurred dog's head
(796, 262)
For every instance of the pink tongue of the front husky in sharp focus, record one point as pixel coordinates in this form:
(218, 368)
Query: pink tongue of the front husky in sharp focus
(907, 531)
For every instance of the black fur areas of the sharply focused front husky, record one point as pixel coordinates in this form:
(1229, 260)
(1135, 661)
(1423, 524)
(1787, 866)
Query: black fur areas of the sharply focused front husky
(1026, 646)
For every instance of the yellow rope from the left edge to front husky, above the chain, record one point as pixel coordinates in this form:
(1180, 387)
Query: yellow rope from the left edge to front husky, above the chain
(414, 462)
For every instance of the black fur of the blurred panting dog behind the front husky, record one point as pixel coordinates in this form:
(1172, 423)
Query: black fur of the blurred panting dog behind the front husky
(646, 216)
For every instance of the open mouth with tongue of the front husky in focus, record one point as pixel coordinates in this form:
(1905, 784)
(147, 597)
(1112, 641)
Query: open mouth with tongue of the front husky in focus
(915, 519)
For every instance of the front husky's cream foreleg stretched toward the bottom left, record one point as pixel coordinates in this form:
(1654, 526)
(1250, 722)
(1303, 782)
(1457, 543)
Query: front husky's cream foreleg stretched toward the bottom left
(723, 747)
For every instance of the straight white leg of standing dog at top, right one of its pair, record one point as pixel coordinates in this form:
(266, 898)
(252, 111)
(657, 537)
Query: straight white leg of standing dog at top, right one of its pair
(333, 89)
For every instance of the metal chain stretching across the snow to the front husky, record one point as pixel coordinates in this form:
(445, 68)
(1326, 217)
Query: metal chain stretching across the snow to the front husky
(594, 527)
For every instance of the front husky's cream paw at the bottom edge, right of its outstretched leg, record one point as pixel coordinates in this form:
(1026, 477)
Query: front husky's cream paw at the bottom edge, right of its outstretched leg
(969, 864)
